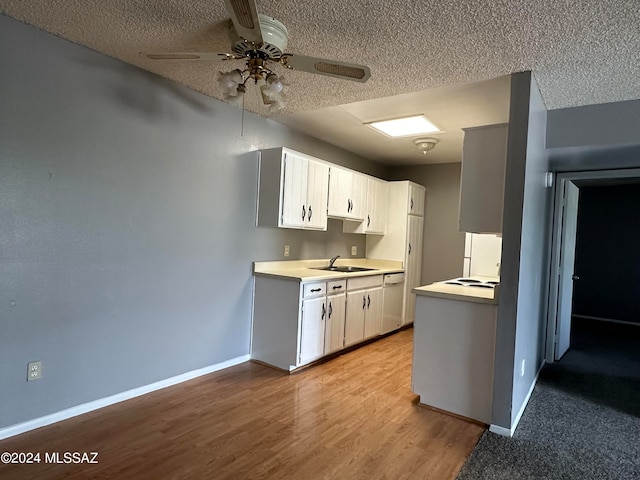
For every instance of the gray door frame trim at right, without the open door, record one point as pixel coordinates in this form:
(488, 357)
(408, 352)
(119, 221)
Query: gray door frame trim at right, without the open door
(590, 177)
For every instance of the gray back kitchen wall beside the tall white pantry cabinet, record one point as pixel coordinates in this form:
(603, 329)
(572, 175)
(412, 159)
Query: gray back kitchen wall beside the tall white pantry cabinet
(443, 247)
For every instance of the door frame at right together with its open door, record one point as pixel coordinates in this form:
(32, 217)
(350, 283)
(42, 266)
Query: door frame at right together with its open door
(563, 251)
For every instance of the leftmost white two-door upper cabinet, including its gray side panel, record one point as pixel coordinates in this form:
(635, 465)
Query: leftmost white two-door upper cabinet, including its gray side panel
(293, 190)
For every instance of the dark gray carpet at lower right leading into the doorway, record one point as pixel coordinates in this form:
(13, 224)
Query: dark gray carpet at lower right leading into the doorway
(583, 419)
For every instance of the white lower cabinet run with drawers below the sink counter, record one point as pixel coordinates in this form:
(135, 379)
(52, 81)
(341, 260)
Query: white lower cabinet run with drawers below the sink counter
(297, 323)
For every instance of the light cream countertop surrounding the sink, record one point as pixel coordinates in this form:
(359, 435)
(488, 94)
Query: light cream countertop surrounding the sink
(303, 270)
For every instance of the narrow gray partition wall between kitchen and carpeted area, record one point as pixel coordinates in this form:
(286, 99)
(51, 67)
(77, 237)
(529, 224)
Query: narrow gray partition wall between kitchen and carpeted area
(525, 248)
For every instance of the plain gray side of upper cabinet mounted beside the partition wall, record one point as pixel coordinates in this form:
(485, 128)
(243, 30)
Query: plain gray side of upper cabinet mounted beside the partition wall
(484, 159)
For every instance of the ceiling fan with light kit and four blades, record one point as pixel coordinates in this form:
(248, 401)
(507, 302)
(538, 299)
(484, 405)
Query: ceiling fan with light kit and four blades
(261, 41)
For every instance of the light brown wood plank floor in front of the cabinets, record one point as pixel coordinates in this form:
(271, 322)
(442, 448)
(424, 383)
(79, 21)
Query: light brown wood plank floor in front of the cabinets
(353, 417)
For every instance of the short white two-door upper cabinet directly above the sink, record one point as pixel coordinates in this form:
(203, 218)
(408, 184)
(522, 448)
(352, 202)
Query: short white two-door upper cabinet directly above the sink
(347, 194)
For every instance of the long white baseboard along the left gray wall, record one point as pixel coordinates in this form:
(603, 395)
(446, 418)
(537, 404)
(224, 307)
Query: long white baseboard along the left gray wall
(118, 397)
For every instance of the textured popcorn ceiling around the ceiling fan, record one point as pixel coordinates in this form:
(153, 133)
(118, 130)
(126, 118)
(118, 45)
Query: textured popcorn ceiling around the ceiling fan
(580, 51)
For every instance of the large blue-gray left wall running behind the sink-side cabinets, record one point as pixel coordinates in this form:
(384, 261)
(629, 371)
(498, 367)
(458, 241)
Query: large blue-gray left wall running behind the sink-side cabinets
(127, 208)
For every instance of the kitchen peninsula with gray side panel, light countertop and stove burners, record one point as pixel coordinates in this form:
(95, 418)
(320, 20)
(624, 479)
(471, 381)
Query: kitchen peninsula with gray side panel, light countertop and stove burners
(454, 343)
